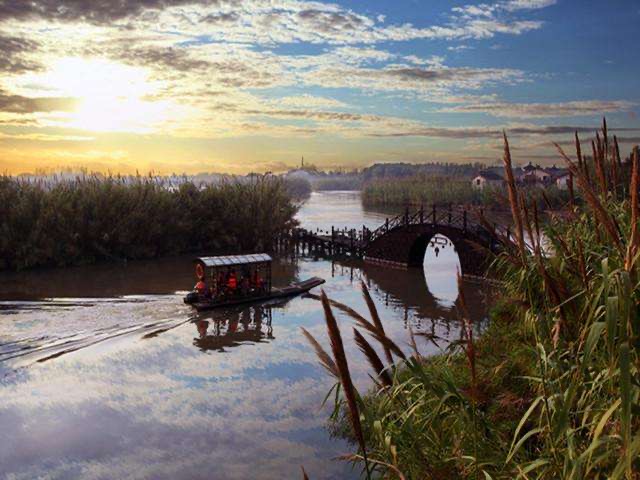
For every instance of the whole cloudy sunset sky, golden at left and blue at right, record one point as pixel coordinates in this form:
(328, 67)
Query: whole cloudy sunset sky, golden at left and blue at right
(188, 86)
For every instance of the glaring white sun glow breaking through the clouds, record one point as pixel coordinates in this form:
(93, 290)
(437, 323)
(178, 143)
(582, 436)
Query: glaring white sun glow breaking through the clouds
(110, 96)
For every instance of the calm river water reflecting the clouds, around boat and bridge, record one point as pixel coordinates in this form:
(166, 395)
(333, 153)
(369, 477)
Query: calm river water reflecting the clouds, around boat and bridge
(105, 373)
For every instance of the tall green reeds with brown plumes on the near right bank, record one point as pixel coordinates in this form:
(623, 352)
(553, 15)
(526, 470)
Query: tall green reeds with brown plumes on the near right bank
(552, 390)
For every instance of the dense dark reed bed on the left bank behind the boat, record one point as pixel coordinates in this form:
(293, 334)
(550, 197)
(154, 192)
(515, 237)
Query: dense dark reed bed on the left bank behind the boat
(95, 218)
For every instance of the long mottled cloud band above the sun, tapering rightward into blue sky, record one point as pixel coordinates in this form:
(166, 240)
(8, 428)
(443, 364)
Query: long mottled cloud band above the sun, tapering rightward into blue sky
(199, 72)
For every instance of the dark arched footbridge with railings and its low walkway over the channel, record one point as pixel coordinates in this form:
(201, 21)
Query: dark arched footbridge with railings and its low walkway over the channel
(402, 241)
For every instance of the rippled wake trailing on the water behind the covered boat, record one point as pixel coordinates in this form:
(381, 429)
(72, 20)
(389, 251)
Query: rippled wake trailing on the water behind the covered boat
(33, 332)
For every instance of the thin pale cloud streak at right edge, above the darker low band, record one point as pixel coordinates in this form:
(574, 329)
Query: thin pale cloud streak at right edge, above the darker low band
(534, 110)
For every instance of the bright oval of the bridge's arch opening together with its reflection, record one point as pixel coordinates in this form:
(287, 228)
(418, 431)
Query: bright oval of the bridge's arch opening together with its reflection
(441, 264)
